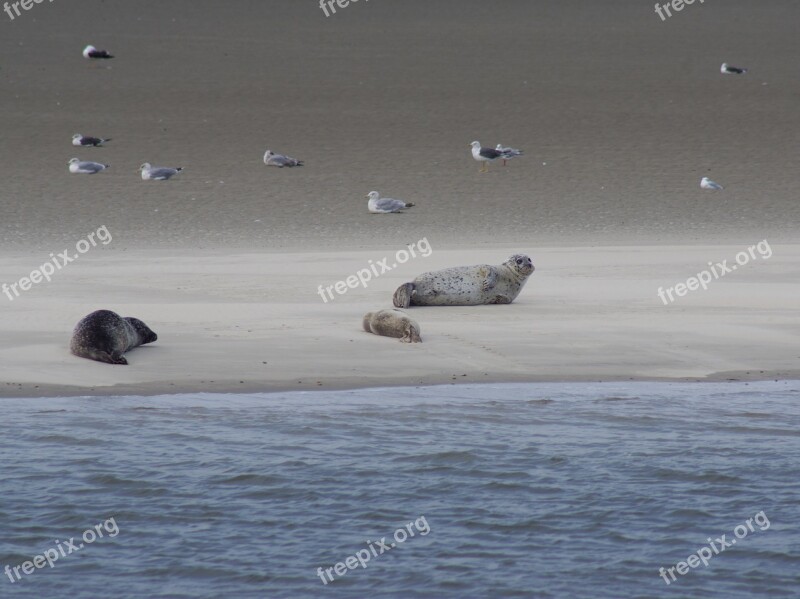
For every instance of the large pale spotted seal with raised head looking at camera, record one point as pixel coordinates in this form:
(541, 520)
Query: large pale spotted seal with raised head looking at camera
(467, 285)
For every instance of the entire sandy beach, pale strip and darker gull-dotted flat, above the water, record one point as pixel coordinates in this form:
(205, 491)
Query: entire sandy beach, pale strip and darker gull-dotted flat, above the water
(619, 114)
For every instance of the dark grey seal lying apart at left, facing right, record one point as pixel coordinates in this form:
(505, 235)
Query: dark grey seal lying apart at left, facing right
(104, 336)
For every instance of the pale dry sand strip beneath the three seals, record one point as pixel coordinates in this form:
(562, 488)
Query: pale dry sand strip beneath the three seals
(254, 322)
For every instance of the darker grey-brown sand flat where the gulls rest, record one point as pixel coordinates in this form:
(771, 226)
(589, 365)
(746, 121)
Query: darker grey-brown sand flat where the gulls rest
(628, 112)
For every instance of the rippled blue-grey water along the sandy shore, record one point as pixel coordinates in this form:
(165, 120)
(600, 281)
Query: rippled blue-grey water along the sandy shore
(547, 490)
